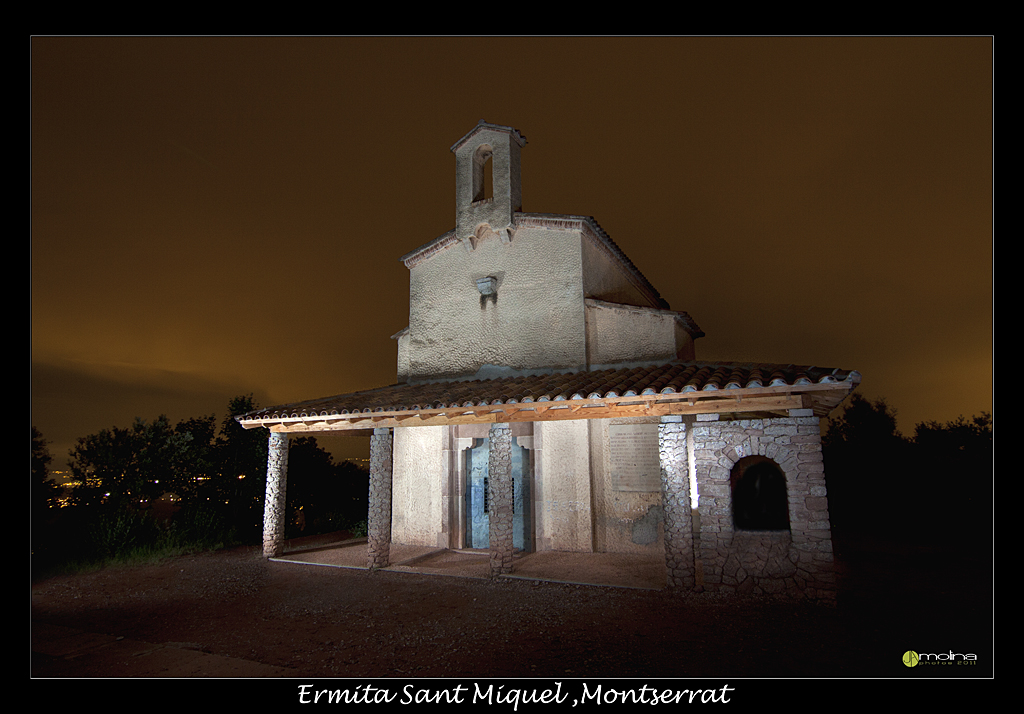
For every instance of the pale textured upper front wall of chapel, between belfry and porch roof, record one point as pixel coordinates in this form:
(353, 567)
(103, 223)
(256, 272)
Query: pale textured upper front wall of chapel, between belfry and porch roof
(533, 320)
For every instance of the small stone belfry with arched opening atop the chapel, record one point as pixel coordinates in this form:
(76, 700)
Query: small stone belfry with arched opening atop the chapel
(489, 152)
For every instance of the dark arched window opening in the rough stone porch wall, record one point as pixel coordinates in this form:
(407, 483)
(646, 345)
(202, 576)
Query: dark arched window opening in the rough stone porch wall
(759, 495)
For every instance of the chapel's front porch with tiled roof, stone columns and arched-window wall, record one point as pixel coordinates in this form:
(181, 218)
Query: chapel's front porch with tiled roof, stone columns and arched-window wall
(710, 416)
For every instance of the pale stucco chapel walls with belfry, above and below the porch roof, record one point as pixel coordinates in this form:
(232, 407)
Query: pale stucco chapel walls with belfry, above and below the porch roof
(508, 292)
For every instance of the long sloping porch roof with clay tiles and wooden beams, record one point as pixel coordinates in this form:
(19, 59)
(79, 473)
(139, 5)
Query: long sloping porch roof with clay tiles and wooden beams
(679, 389)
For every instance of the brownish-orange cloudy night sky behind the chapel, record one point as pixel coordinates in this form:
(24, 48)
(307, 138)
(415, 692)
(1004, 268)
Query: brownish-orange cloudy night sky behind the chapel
(219, 217)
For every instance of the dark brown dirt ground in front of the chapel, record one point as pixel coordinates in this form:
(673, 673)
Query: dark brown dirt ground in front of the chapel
(233, 614)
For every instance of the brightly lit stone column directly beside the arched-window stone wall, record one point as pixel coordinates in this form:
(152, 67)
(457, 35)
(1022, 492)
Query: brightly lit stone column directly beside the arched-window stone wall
(676, 502)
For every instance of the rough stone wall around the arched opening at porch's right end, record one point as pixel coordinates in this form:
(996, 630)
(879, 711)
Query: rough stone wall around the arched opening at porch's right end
(798, 562)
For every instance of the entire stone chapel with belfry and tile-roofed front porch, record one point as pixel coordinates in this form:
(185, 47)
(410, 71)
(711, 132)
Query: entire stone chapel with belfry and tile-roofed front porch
(548, 399)
